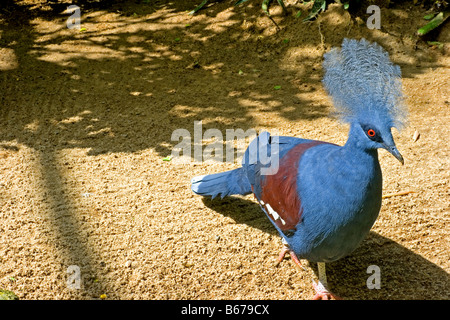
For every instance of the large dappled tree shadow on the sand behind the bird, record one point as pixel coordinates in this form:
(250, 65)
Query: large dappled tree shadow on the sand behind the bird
(139, 72)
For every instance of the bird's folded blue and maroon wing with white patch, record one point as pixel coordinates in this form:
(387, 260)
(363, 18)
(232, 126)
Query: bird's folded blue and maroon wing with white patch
(277, 191)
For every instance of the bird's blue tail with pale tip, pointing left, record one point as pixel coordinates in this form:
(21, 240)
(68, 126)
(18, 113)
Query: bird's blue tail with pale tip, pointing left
(223, 184)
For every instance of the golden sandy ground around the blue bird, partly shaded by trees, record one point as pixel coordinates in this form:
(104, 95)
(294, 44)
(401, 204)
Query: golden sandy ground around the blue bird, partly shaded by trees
(87, 117)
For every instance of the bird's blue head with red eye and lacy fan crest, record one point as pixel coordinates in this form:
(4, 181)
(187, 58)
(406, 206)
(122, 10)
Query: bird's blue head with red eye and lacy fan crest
(365, 87)
